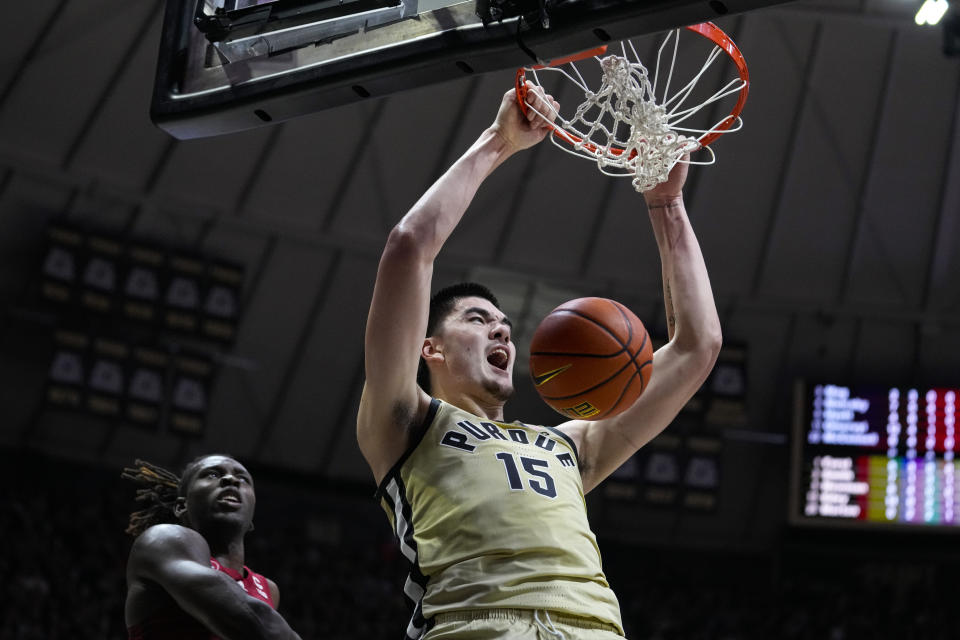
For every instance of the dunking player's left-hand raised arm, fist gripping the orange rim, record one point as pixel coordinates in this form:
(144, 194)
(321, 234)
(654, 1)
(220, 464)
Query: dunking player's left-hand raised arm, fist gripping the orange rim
(392, 402)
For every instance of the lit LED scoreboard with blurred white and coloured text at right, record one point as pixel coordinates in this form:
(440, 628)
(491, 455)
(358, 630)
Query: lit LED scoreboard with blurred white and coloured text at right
(873, 455)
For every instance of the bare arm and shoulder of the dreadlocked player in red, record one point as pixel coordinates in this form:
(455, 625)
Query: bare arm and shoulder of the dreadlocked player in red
(177, 559)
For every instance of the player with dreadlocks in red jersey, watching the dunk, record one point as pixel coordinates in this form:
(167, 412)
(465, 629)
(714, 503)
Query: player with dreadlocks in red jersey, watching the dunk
(185, 575)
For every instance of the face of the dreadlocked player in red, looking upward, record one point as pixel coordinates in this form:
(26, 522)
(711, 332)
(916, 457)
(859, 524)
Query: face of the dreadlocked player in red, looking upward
(220, 493)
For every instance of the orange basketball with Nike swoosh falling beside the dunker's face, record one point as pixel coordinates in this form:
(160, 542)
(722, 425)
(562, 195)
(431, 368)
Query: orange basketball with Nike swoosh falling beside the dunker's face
(590, 358)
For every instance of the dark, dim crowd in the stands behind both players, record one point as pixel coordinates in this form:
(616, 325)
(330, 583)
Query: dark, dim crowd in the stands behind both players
(341, 574)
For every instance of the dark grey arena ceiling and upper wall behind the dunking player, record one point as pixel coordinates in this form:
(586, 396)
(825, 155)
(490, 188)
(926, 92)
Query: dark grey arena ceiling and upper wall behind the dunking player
(829, 226)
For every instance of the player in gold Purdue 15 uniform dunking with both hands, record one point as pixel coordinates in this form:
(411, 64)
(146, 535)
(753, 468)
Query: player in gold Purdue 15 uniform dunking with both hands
(492, 515)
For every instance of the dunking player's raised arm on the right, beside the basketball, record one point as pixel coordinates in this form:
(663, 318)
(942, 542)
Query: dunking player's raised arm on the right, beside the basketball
(681, 365)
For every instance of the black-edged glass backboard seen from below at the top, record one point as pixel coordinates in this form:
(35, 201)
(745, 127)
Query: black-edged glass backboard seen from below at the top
(231, 65)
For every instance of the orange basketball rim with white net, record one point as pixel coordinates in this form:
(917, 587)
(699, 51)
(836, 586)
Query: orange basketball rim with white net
(632, 126)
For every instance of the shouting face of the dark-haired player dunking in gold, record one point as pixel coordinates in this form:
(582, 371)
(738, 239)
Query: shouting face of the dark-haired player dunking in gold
(477, 347)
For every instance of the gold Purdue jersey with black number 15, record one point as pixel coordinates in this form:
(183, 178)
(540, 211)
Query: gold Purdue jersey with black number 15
(492, 515)
